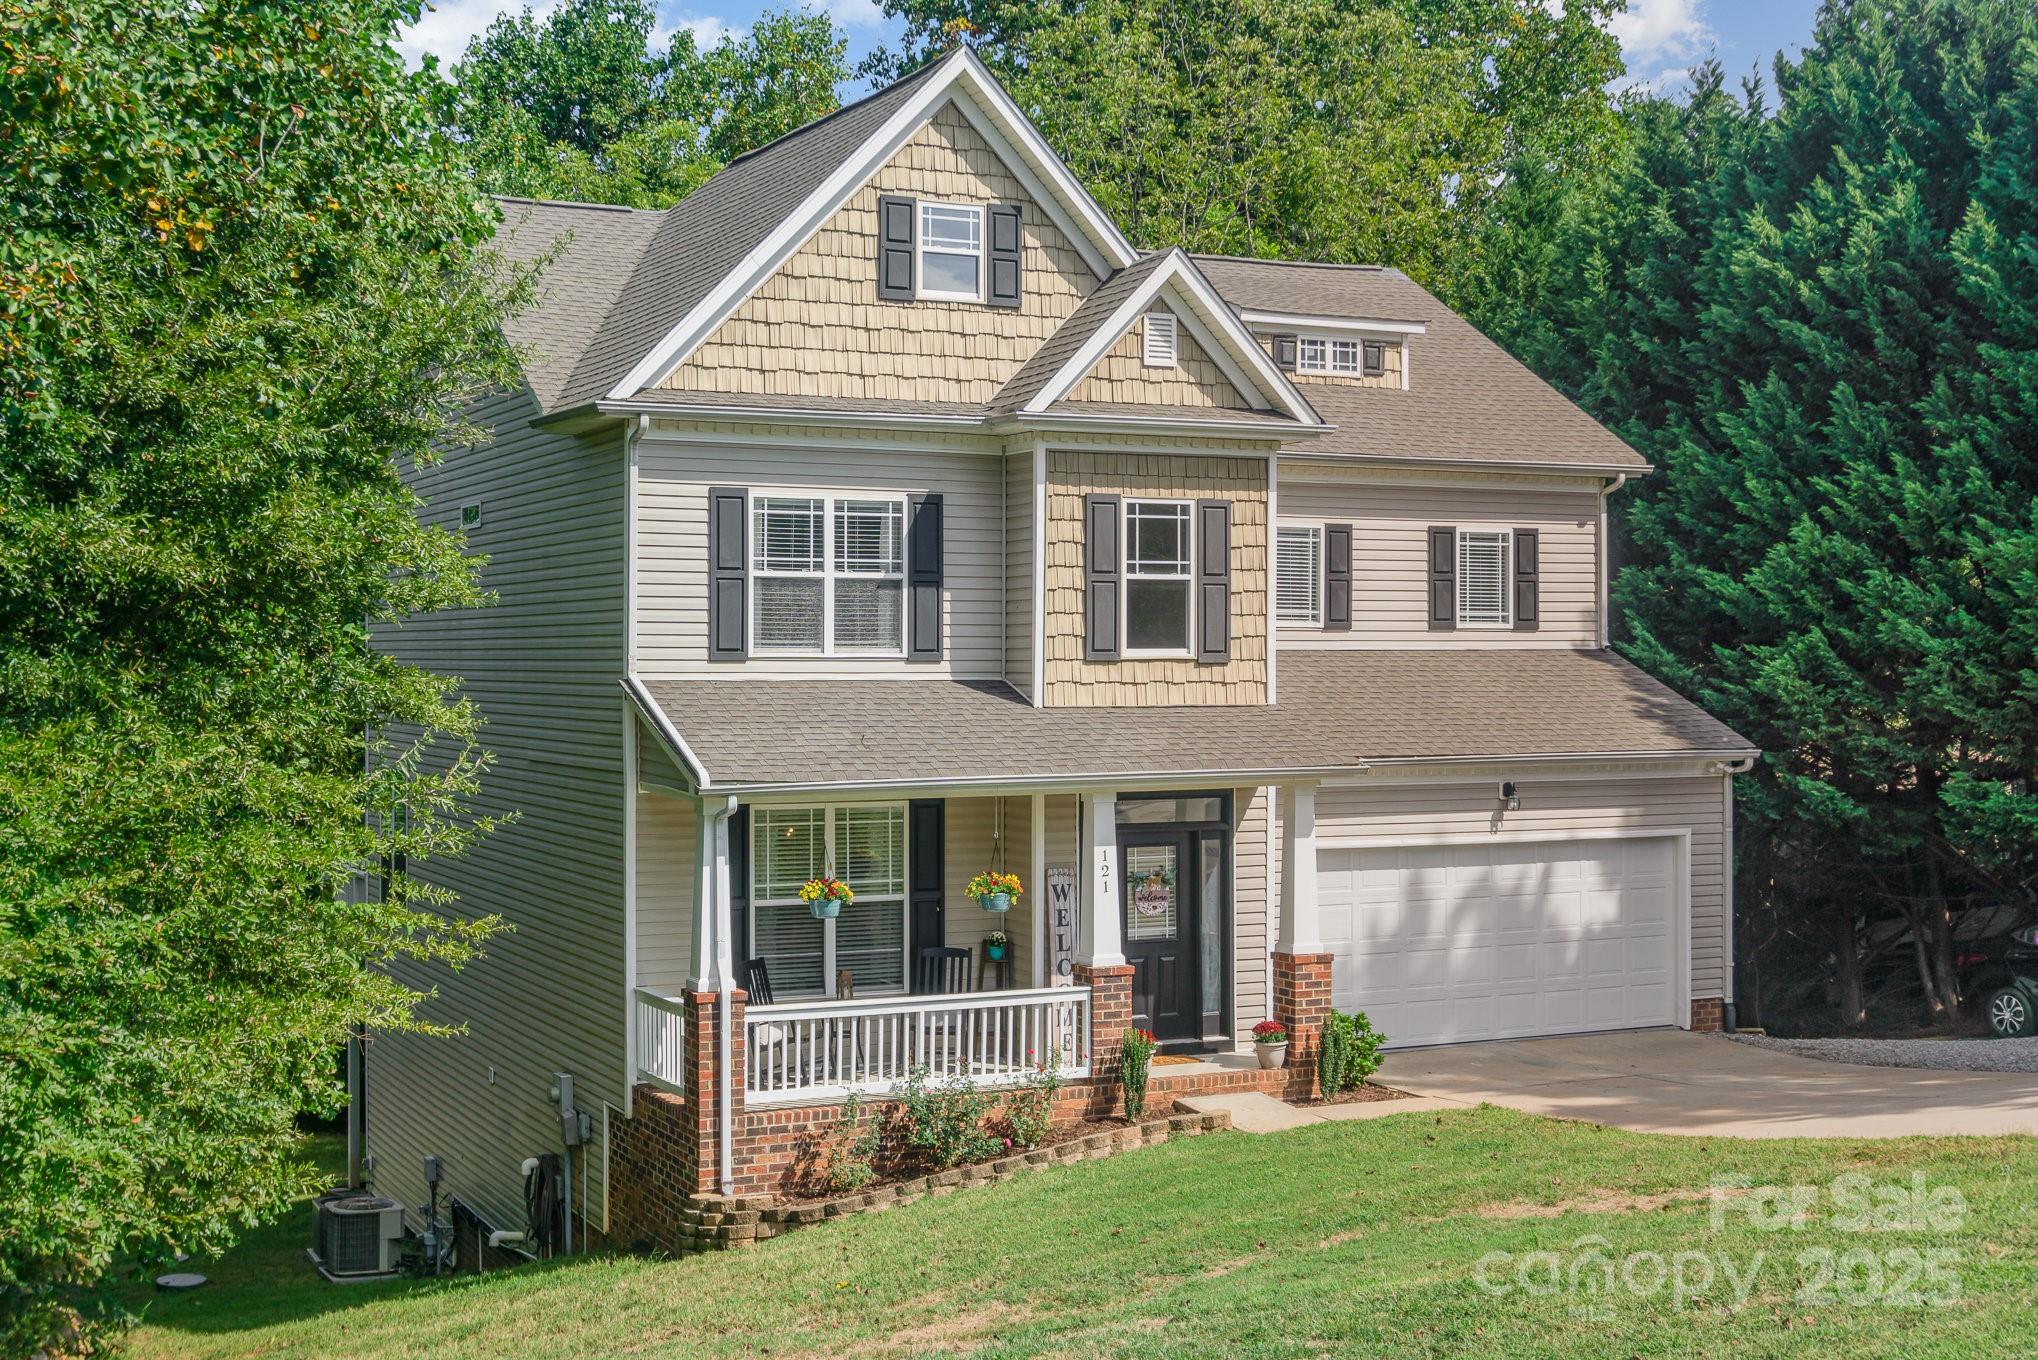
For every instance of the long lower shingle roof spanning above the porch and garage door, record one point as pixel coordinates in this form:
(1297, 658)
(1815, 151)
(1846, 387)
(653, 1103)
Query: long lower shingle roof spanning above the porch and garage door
(1338, 711)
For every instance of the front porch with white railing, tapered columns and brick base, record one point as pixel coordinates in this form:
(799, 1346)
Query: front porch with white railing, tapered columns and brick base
(1140, 908)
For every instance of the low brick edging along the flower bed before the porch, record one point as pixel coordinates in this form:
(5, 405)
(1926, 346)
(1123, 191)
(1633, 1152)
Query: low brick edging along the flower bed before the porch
(735, 1222)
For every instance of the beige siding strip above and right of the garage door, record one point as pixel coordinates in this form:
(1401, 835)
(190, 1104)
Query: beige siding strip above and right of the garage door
(1560, 806)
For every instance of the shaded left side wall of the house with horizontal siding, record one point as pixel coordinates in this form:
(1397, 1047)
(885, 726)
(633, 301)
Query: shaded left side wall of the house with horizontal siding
(541, 666)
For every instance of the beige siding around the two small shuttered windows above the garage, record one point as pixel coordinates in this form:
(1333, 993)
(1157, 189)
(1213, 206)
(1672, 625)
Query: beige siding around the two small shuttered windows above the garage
(1391, 554)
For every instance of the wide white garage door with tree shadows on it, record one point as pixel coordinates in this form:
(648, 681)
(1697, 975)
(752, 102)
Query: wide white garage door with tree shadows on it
(1503, 941)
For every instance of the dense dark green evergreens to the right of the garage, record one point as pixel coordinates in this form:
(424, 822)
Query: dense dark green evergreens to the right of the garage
(1819, 325)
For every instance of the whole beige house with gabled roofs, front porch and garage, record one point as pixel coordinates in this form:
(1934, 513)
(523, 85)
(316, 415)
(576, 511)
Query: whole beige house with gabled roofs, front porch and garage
(879, 513)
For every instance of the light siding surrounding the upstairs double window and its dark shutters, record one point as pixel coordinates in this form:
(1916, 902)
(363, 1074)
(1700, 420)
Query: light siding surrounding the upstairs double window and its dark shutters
(674, 482)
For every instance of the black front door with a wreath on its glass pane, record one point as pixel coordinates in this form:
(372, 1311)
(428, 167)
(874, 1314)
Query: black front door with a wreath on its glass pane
(1161, 904)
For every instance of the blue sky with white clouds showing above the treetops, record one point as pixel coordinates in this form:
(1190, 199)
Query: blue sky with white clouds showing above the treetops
(1662, 38)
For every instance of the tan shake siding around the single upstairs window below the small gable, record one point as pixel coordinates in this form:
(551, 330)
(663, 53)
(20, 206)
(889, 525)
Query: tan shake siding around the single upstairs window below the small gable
(1242, 482)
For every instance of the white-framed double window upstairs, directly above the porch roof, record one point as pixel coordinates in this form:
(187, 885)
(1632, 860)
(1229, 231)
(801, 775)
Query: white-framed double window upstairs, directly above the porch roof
(828, 576)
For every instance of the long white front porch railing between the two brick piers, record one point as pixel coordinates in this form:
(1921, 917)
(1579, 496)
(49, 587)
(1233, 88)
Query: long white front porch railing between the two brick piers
(820, 1051)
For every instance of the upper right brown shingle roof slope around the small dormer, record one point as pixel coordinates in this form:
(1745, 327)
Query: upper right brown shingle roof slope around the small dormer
(1468, 399)
